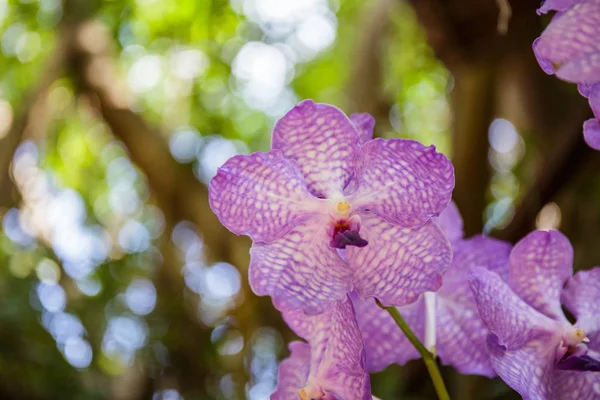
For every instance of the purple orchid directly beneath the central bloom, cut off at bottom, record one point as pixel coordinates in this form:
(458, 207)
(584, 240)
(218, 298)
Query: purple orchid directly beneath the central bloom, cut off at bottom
(332, 365)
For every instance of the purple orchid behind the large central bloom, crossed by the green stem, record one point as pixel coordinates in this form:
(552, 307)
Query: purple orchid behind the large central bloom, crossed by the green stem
(461, 333)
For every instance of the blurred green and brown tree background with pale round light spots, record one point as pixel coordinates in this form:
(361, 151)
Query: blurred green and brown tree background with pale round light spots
(118, 282)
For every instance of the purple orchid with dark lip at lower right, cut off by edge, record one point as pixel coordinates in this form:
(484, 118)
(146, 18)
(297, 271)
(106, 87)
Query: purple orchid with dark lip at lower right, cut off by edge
(533, 347)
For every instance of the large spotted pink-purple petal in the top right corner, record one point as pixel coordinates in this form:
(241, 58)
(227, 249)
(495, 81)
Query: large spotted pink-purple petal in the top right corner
(570, 41)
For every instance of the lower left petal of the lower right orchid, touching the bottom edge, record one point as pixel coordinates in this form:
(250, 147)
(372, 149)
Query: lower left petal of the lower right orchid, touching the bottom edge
(528, 369)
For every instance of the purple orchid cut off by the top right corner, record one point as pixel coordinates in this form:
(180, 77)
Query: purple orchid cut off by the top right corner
(569, 47)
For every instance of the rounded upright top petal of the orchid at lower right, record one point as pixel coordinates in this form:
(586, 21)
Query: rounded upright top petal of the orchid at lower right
(539, 266)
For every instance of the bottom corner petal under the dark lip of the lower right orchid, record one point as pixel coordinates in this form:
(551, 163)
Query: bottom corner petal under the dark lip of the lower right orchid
(576, 385)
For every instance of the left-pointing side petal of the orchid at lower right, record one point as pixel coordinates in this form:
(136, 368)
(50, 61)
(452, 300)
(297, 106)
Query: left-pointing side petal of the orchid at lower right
(513, 321)
